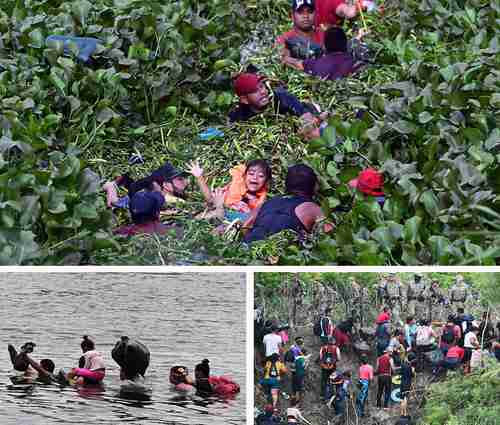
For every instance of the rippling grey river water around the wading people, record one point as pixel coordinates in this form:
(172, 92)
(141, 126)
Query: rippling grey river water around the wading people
(182, 318)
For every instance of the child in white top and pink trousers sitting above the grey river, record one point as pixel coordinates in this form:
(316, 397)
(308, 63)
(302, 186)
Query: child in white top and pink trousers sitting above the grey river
(91, 368)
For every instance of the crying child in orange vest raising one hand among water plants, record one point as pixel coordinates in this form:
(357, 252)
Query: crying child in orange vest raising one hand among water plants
(247, 190)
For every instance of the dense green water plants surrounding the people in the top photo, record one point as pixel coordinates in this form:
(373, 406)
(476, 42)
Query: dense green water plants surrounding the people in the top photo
(163, 74)
